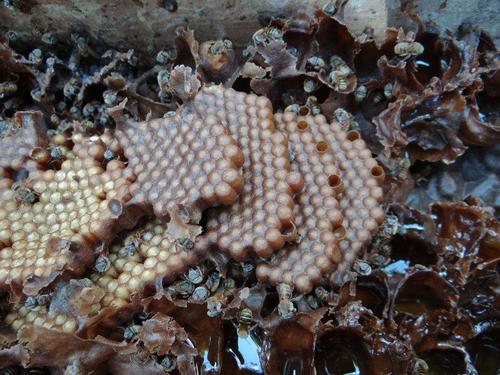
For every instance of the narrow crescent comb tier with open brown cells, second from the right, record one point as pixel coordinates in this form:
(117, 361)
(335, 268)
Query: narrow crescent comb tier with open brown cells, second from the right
(315, 252)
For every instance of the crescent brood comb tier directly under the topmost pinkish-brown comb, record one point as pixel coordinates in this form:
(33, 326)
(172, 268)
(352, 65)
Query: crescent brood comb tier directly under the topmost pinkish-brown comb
(262, 218)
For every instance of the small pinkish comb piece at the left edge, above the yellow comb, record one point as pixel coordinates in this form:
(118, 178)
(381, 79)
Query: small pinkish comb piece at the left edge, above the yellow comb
(26, 132)
